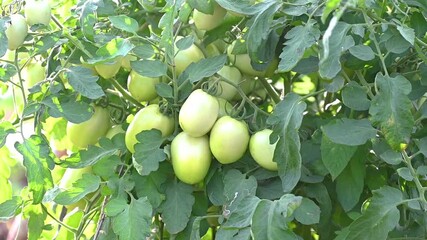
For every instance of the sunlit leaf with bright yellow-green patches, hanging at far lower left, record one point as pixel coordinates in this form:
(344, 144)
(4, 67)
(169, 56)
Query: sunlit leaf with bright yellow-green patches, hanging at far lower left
(38, 161)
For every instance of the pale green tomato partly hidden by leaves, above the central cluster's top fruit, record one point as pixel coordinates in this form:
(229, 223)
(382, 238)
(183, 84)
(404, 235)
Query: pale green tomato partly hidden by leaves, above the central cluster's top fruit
(183, 58)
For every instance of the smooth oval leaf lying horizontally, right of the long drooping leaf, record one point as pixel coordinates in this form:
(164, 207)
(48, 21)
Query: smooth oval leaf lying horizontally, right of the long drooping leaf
(357, 132)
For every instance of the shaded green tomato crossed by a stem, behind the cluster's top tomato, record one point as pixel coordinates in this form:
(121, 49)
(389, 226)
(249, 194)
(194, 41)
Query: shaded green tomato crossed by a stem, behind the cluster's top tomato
(226, 90)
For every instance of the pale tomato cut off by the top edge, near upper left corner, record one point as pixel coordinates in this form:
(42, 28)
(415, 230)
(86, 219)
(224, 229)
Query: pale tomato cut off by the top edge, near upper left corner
(37, 12)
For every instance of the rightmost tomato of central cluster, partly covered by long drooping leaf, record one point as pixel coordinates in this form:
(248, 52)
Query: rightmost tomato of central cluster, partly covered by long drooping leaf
(262, 151)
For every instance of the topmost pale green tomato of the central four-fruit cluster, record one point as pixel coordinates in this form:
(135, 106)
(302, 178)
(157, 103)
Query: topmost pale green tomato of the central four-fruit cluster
(198, 113)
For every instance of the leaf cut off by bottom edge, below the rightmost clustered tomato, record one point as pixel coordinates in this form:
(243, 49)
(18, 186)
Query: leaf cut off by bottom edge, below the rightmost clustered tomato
(270, 218)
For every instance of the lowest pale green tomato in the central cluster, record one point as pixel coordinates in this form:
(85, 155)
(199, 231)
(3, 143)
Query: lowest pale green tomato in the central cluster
(191, 157)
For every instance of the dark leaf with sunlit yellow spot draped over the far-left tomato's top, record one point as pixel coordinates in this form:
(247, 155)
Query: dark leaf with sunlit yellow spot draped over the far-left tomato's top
(68, 107)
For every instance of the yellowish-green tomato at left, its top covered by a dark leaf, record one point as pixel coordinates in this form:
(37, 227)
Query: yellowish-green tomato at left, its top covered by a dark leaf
(88, 133)
